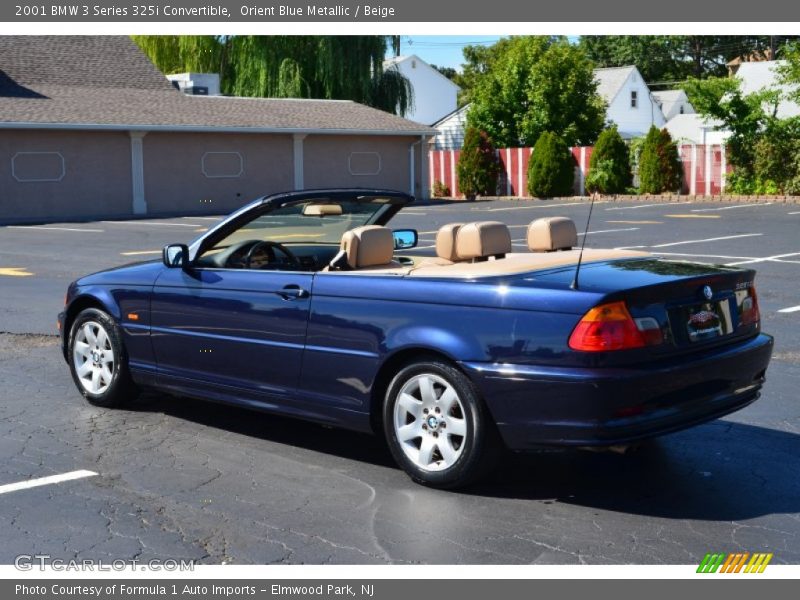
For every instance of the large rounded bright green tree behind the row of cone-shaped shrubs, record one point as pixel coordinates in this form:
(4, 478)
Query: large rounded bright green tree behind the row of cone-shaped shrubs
(537, 84)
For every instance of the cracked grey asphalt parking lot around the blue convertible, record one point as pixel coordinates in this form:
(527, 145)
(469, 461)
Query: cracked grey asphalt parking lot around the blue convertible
(179, 479)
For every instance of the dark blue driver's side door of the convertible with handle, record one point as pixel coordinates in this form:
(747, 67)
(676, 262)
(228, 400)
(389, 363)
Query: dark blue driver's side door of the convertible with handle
(231, 329)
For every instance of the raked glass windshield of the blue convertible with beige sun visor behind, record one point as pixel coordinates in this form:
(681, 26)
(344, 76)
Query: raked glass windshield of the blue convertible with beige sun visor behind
(314, 221)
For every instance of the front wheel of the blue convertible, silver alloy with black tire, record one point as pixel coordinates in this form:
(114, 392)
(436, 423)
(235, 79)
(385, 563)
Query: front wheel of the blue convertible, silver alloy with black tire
(98, 360)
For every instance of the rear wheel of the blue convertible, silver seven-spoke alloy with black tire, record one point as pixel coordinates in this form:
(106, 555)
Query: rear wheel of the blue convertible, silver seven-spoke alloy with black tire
(437, 427)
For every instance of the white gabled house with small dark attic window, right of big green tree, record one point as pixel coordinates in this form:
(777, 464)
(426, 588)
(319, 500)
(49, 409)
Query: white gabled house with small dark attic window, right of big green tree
(631, 106)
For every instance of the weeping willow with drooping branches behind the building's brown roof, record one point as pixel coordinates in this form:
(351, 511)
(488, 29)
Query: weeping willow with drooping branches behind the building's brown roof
(327, 67)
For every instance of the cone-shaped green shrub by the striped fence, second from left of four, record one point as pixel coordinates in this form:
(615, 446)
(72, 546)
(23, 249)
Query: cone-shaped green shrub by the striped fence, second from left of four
(551, 170)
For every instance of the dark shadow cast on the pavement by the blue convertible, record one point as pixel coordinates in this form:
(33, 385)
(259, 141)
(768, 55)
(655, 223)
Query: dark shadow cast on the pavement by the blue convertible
(720, 471)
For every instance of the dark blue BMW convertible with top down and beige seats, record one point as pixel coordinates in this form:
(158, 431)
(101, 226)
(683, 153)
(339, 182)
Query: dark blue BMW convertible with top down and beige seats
(304, 304)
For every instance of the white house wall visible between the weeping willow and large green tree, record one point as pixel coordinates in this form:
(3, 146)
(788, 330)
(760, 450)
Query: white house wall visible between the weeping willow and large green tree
(435, 96)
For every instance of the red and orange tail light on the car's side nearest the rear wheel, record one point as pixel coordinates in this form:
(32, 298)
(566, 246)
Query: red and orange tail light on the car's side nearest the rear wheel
(610, 327)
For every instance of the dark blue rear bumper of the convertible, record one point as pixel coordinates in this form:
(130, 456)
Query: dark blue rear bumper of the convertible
(550, 406)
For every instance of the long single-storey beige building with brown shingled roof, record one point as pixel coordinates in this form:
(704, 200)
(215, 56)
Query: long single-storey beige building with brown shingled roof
(90, 128)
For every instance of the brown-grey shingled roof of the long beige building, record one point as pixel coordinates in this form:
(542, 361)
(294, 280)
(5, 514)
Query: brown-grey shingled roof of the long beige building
(106, 81)
